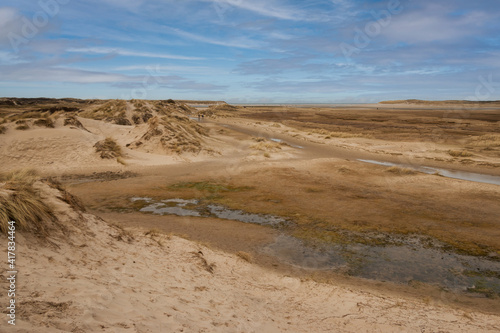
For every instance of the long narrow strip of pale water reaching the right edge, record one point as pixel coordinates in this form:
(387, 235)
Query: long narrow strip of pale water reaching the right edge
(470, 176)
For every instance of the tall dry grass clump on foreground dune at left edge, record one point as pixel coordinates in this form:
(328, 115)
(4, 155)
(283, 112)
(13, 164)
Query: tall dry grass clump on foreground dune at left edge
(21, 203)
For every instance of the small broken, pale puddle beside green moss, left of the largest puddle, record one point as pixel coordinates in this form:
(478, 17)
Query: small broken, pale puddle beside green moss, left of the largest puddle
(183, 207)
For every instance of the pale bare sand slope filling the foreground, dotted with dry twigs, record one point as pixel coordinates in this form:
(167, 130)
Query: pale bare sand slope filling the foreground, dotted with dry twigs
(97, 278)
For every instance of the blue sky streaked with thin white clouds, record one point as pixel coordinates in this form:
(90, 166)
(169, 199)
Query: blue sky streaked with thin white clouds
(258, 51)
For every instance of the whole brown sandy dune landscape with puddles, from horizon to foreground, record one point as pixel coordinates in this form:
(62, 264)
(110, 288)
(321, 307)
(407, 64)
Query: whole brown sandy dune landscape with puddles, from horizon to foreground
(334, 243)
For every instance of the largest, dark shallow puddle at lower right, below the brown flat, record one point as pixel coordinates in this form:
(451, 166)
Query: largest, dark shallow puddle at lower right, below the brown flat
(401, 264)
